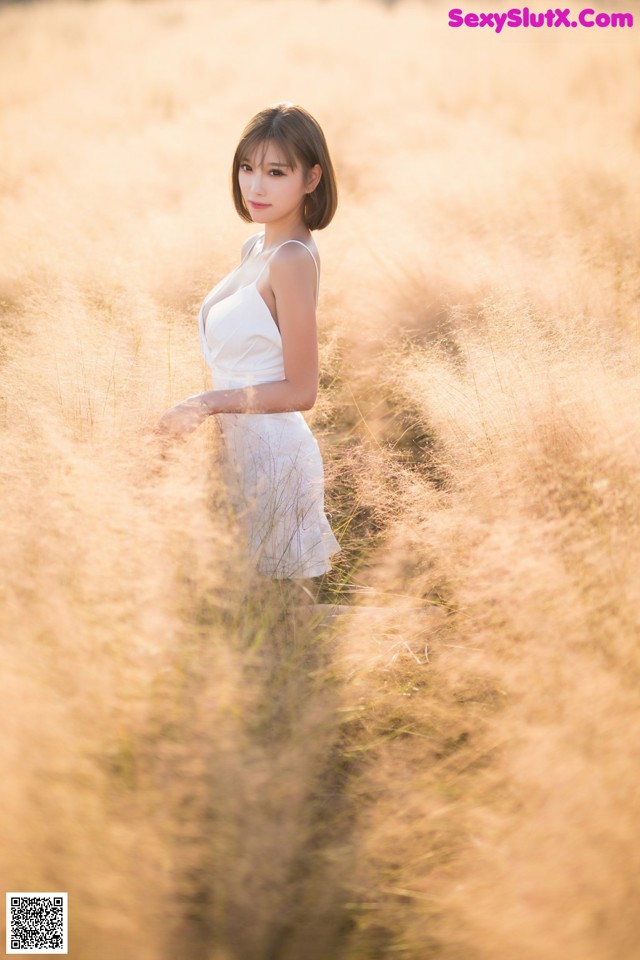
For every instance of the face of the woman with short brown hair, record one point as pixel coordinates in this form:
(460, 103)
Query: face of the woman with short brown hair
(272, 190)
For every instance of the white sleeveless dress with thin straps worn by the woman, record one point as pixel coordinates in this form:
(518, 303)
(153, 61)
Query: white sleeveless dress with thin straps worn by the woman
(273, 467)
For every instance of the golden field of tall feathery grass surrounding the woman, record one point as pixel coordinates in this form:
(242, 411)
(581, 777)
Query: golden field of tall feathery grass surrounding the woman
(209, 775)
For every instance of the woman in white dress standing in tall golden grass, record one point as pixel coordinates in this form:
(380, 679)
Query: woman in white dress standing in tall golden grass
(258, 334)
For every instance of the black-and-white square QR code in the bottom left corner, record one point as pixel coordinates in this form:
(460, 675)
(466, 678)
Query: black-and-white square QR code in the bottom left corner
(37, 923)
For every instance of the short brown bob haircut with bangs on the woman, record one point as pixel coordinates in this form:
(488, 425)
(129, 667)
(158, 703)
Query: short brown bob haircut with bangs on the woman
(301, 141)
